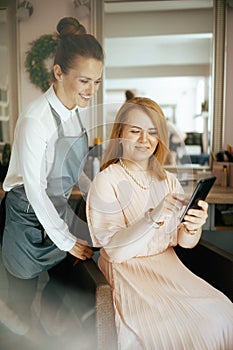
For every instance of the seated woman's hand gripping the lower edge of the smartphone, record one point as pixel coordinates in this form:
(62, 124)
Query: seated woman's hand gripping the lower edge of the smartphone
(196, 218)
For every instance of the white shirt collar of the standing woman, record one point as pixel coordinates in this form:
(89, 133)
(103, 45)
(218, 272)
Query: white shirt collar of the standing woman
(63, 112)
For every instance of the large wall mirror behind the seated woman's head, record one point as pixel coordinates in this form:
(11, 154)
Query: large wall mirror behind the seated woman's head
(168, 51)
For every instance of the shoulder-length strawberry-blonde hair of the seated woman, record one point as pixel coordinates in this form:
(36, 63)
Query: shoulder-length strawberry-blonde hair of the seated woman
(154, 111)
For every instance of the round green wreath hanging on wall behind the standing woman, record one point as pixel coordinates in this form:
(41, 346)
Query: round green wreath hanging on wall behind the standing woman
(41, 49)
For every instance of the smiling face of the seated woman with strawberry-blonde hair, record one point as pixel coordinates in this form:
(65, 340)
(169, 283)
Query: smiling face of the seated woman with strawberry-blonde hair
(139, 139)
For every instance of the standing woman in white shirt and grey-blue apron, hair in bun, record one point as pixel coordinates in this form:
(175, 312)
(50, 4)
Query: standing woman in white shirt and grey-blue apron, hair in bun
(49, 148)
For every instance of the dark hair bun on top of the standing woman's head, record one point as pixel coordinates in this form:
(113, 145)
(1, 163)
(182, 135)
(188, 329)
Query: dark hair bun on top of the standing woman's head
(70, 25)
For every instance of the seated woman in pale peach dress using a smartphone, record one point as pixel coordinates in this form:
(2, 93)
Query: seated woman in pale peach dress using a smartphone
(133, 210)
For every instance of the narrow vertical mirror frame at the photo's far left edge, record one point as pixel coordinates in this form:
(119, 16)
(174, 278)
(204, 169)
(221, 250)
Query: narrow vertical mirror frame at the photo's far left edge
(10, 6)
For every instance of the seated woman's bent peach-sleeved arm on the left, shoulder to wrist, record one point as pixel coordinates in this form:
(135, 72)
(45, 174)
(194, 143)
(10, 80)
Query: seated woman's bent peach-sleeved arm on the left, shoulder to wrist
(108, 226)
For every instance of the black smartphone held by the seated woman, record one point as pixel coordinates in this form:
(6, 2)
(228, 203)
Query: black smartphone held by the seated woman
(201, 191)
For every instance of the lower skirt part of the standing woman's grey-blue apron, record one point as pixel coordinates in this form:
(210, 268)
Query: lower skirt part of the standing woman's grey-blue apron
(26, 252)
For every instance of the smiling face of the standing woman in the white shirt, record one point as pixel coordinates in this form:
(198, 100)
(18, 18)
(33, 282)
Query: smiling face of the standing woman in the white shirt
(80, 83)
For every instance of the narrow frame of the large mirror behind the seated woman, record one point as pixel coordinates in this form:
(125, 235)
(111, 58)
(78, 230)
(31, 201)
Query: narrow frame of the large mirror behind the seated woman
(218, 70)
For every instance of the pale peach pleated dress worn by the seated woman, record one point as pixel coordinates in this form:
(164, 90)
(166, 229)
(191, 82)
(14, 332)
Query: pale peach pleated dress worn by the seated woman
(159, 303)
